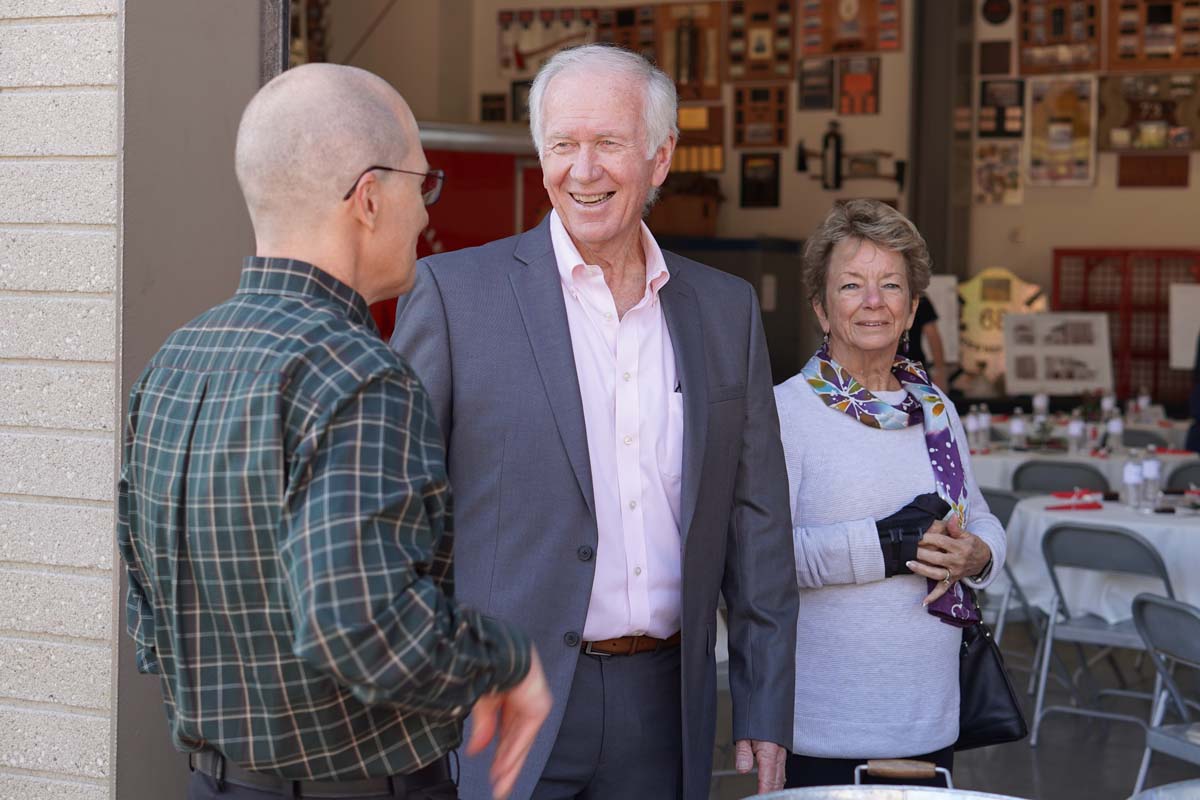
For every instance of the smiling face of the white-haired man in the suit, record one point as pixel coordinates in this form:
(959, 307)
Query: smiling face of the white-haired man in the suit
(593, 160)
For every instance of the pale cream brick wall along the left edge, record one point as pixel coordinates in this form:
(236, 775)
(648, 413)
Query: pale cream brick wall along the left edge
(59, 65)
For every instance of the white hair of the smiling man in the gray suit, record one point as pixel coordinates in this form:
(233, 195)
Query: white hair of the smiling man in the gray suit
(661, 104)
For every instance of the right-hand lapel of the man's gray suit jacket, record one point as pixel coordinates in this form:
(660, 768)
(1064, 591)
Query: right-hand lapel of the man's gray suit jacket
(682, 312)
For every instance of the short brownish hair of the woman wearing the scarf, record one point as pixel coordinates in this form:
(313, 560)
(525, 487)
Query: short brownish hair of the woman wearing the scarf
(872, 221)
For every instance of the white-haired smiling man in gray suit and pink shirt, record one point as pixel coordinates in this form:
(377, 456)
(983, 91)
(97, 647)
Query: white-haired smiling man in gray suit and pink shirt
(614, 446)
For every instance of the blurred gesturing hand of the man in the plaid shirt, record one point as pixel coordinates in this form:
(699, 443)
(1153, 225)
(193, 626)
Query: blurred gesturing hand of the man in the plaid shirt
(518, 714)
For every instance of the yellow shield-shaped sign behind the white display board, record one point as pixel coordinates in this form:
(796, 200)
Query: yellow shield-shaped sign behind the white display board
(986, 300)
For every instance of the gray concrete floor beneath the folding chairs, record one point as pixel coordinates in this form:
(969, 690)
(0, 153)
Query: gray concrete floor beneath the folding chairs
(1077, 759)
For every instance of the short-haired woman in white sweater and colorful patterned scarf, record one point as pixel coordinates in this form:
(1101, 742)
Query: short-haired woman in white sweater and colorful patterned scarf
(877, 458)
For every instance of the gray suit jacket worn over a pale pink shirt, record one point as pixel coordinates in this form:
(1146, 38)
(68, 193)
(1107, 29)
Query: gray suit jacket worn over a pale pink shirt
(485, 329)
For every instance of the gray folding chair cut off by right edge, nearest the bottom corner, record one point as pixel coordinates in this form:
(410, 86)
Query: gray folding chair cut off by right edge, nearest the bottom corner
(1171, 631)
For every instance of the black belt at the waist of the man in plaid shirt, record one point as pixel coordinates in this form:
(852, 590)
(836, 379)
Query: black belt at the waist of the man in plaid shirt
(217, 766)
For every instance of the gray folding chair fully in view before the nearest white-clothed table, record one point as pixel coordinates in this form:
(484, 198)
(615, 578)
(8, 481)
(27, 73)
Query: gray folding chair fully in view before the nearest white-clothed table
(1100, 549)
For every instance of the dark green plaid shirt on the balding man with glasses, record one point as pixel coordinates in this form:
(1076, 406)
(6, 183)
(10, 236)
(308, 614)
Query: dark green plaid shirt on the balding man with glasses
(285, 516)
